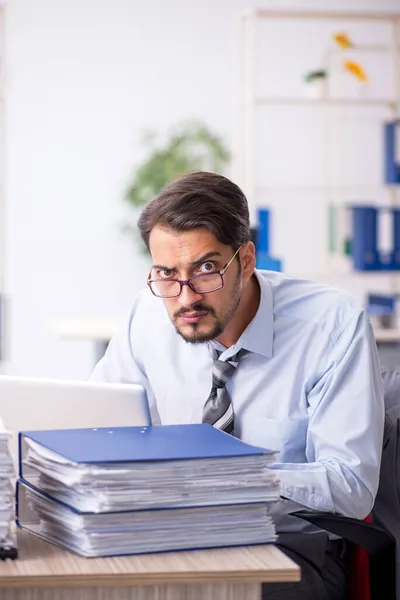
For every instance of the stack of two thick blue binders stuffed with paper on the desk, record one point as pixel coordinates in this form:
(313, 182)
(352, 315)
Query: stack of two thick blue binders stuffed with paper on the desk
(145, 489)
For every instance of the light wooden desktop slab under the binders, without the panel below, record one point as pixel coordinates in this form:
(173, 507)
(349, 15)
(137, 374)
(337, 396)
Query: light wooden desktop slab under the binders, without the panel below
(43, 565)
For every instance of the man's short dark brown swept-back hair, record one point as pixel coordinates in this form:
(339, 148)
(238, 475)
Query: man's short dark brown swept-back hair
(200, 199)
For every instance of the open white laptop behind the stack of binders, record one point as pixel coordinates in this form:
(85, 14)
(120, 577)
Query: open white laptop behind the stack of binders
(31, 403)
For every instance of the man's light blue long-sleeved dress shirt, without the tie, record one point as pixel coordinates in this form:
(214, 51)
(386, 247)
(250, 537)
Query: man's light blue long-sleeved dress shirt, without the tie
(310, 388)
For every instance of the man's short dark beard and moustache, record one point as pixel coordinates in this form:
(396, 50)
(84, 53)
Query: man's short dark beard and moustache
(196, 333)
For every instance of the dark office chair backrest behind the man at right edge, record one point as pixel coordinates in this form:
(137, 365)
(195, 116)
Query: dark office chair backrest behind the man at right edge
(386, 511)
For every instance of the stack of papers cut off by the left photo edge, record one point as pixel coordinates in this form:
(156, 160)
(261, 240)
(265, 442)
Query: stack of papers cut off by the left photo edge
(7, 538)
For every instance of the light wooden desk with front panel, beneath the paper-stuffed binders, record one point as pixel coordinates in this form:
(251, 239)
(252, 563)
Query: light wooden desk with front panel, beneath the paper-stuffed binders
(45, 572)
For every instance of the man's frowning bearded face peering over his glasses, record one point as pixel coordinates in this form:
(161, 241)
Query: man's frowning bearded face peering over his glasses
(197, 317)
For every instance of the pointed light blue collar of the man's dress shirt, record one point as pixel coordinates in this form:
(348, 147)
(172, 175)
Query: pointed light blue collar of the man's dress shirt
(258, 336)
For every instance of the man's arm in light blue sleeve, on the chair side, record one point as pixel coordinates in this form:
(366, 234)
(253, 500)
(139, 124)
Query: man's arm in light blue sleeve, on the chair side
(344, 439)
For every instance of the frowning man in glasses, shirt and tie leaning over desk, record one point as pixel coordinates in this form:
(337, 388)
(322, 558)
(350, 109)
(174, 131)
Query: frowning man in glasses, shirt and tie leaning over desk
(277, 361)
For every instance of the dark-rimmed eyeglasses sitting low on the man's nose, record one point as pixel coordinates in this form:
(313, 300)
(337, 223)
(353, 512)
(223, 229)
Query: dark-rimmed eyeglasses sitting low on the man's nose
(205, 283)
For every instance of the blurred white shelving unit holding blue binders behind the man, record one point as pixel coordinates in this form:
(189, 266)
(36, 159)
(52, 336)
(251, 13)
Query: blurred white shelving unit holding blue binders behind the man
(330, 106)
